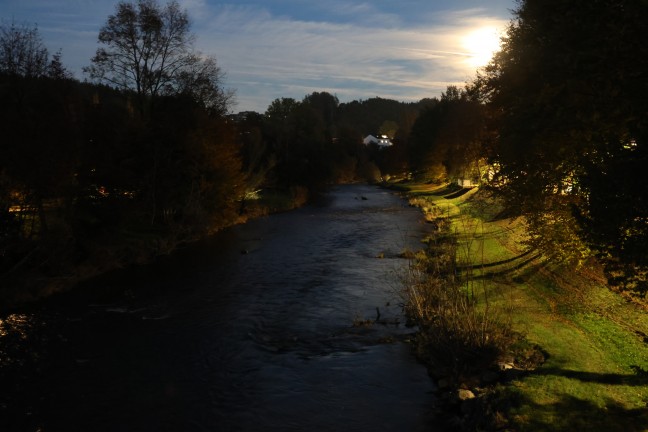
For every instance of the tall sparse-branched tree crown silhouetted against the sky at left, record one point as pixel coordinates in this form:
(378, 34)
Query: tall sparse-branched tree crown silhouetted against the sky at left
(148, 49)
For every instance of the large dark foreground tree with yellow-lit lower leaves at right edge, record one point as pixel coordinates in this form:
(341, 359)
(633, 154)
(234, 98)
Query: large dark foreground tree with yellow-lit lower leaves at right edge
(569, 104)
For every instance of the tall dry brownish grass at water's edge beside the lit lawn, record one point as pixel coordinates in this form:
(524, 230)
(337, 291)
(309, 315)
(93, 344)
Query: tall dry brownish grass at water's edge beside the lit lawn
(461, 333)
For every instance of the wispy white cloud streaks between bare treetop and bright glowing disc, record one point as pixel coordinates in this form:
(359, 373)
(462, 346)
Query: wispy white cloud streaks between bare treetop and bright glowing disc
(407, 63)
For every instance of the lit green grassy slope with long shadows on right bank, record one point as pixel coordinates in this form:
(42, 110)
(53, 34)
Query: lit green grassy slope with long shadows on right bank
(594, 342)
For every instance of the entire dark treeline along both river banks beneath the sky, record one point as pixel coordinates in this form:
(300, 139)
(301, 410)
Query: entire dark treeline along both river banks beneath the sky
(114, 171)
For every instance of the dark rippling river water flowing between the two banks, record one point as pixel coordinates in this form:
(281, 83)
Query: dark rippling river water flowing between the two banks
(287, 323)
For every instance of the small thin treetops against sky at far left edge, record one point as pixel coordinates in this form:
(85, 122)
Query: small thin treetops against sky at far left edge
(22, 52)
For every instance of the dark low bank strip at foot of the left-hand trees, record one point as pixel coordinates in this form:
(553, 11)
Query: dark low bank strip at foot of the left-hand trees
(55, 268)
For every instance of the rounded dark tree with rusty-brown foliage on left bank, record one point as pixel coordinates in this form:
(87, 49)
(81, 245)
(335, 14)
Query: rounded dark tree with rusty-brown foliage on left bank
(198, 181)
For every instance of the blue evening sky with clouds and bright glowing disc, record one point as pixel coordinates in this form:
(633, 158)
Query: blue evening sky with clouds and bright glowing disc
(404, 50)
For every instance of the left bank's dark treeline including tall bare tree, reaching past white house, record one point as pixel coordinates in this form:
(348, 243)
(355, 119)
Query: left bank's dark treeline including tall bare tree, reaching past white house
(97, 175)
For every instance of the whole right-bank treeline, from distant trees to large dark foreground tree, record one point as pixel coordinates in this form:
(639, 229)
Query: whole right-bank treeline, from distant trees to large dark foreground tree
(556, 126)
